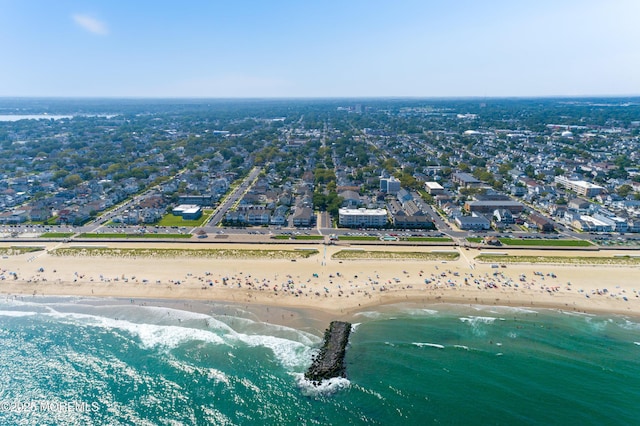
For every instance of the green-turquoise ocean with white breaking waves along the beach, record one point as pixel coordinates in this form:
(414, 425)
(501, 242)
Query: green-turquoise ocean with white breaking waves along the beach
(68, 361)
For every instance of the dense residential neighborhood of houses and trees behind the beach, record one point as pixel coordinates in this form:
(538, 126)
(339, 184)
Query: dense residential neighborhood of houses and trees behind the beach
(505, 166)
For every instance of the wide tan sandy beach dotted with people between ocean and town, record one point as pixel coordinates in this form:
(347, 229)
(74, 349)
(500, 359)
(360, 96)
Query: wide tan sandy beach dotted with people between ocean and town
(336, 287)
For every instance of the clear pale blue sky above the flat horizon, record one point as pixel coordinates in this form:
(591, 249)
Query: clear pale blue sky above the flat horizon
(321, 48)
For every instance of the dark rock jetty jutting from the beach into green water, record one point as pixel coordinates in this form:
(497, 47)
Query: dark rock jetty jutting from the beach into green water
(330, 361)
